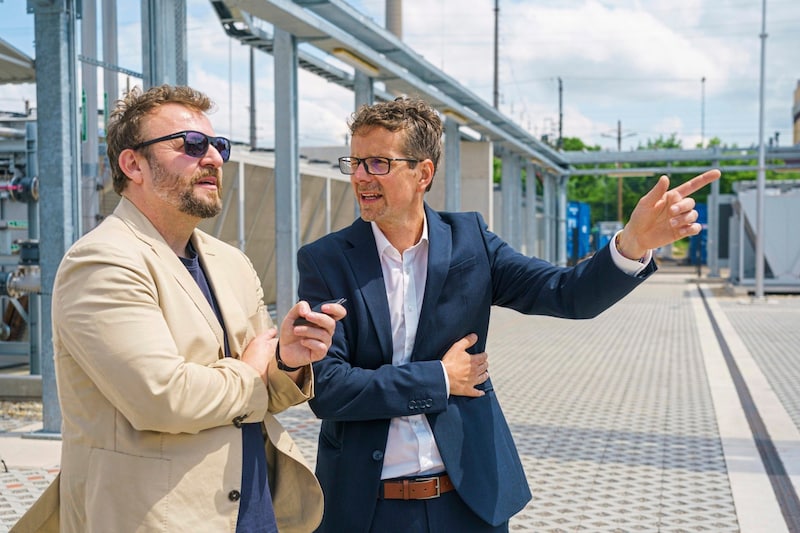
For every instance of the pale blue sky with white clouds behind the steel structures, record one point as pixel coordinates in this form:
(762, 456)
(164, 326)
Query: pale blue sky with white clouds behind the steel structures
(647, 69)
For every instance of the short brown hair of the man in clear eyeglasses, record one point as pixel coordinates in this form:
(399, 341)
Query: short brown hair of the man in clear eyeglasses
(415, 117)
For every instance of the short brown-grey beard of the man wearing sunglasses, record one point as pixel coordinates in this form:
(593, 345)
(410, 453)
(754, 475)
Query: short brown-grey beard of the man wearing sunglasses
(174, 190)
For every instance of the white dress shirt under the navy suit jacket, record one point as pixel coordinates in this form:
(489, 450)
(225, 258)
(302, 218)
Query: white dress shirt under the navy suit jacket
(410, 448)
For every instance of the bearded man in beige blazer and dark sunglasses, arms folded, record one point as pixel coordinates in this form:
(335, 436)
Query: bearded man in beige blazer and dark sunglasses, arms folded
(165, 354)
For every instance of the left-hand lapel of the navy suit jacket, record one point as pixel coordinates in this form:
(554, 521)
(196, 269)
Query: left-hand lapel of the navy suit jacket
(365, 264)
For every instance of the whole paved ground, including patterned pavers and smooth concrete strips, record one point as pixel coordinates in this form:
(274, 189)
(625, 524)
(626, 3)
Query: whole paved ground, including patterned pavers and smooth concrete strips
(633, 421)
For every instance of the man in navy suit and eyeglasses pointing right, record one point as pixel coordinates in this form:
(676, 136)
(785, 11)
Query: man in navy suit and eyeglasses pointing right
(413, 438)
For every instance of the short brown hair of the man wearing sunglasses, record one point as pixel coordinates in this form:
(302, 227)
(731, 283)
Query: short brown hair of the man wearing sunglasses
(125, 122)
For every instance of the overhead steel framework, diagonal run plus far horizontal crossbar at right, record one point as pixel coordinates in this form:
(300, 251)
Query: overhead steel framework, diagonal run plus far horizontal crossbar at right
(336, 29)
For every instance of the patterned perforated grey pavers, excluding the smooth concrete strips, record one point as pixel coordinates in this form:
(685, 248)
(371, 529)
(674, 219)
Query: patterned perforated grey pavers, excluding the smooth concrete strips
(613, 417)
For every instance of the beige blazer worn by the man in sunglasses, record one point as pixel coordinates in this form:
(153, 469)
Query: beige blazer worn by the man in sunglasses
(150, 405)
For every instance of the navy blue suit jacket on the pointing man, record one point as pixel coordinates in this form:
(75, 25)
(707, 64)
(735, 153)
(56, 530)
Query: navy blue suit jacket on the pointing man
(358, 390)
